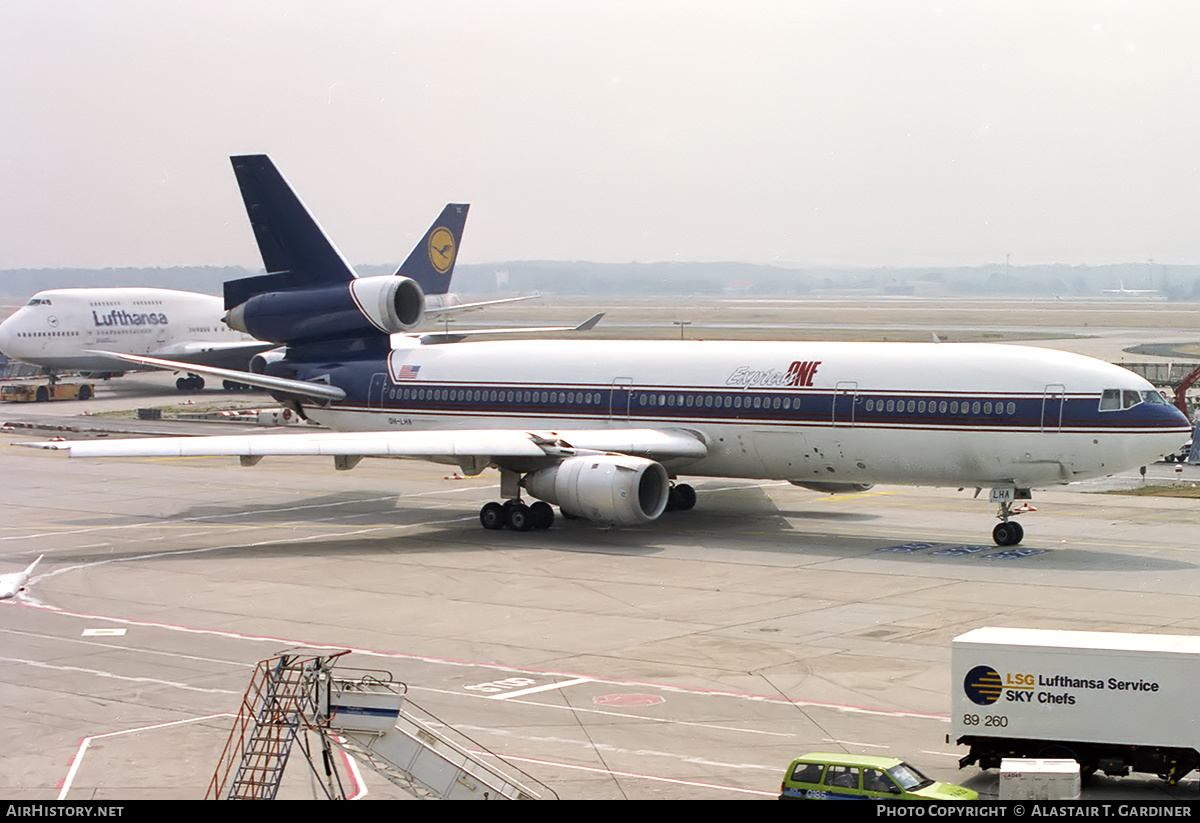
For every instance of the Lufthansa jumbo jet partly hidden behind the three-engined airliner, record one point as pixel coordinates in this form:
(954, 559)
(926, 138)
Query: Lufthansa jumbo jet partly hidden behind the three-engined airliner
(61, 329)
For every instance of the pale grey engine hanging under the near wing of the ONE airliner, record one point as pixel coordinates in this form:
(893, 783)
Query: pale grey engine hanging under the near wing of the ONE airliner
(607, 489)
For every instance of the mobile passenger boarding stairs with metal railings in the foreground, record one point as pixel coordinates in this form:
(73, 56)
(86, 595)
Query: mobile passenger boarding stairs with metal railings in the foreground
(368, 717)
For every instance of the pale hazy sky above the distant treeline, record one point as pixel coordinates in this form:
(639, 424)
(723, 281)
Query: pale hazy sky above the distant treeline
(836, 133)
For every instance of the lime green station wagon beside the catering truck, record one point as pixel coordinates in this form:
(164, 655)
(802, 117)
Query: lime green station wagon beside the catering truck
(825, 777)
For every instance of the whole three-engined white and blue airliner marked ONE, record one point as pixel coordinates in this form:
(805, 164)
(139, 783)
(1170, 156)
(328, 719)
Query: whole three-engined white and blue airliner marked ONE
(605, 430)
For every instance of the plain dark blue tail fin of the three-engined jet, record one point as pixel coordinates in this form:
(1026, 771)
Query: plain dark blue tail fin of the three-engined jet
(296, 251)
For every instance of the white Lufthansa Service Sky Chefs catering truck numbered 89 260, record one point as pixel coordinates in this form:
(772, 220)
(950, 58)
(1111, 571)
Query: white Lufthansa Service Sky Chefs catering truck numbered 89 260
(1114, 702)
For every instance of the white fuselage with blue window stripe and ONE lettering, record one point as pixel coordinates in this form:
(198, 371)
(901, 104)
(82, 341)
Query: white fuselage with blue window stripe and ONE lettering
(835, 413)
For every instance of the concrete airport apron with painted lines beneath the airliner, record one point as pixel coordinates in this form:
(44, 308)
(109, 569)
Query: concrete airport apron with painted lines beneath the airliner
(689, 659)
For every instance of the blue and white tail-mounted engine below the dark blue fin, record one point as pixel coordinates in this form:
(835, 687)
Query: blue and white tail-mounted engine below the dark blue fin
(363, 308)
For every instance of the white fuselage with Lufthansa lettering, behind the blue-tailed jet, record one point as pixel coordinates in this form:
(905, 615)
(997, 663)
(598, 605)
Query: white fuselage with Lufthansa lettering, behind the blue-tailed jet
(58, 328)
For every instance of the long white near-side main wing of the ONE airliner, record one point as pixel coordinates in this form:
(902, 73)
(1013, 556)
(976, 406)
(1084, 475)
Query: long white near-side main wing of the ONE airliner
(476, 446)
